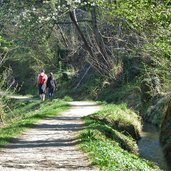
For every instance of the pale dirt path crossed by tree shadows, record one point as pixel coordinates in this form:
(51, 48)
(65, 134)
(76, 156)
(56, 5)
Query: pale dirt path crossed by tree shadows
(51, 145)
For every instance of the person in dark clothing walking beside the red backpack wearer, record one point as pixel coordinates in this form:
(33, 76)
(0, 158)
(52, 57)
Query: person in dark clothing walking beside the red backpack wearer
(51, 85)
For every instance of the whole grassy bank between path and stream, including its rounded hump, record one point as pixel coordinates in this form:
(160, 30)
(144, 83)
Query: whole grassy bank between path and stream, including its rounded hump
(108, 146)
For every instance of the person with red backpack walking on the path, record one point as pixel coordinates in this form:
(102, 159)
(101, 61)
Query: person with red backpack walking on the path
(42, 80)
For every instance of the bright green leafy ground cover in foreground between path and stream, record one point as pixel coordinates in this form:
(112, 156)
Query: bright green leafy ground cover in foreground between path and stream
(111, 157)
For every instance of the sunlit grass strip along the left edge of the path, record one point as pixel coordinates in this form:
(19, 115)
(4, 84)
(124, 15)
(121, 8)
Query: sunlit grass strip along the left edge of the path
(26, 119)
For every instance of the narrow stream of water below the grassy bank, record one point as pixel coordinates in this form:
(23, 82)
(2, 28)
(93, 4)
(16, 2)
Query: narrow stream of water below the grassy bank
(150, 148)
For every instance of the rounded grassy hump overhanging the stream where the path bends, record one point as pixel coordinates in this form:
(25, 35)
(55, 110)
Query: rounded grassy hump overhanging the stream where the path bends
(120, 117)
